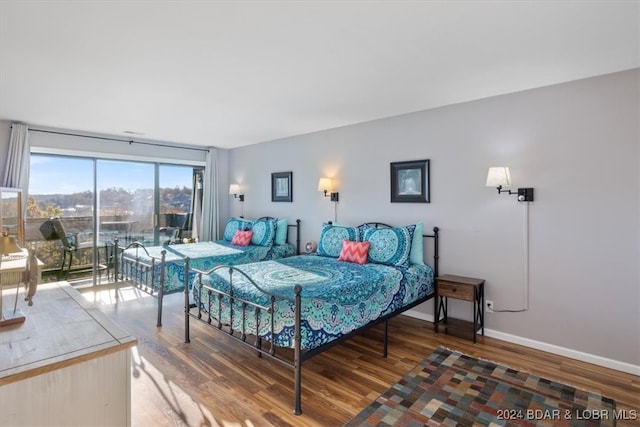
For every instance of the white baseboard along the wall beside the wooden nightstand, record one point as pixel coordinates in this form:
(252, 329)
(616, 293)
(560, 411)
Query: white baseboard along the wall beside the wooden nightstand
(550, 348)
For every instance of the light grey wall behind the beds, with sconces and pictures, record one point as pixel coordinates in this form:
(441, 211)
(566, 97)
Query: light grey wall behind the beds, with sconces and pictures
(576, 143)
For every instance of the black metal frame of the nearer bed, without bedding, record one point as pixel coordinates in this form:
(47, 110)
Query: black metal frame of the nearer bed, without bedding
(299, 355)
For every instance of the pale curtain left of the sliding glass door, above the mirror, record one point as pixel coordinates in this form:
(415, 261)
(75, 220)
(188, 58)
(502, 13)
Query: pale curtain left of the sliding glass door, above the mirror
(16, 172)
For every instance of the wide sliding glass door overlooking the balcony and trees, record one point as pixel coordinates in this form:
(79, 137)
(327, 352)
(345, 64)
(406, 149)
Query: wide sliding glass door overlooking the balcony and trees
(145, 202)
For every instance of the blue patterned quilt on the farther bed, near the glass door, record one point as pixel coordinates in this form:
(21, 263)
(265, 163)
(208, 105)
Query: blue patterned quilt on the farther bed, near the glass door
(202, 255)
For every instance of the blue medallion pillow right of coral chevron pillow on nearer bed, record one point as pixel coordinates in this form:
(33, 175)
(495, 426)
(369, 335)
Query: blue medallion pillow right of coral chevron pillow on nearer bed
(390, 246)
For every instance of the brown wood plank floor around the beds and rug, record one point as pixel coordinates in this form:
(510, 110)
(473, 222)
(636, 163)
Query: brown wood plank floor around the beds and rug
(213, 381)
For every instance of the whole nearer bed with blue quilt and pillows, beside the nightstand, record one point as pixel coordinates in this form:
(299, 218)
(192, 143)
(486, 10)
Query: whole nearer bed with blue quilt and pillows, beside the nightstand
(309, 303)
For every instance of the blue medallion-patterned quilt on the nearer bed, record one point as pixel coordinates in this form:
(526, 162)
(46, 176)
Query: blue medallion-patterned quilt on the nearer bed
(337, 297)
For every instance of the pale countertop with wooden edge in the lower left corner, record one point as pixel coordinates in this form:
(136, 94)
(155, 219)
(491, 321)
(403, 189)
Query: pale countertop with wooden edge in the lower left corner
(61, 329)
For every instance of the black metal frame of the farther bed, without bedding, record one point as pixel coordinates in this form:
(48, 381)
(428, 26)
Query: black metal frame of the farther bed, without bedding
(142, 274)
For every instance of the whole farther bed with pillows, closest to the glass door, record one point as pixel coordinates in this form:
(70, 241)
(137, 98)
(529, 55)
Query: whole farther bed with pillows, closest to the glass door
(160, 270)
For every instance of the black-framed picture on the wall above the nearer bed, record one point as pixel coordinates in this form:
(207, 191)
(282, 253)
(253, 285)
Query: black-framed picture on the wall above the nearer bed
(410, 182)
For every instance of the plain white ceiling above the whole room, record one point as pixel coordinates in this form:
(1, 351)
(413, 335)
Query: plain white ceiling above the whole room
(233, 73)
